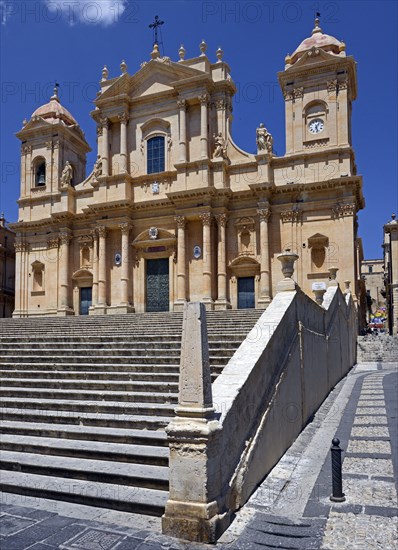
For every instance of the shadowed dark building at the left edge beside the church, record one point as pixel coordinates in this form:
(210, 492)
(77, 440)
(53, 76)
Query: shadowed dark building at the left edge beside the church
(7, 269)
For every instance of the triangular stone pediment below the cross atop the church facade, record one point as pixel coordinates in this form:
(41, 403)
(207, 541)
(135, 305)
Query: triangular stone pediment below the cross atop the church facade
(154, 77)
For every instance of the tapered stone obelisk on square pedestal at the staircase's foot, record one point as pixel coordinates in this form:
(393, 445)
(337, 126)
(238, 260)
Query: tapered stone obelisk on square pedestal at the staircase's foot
(192, 511)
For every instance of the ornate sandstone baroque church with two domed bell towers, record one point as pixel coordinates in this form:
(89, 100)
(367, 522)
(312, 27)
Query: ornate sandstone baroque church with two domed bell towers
(173, 209)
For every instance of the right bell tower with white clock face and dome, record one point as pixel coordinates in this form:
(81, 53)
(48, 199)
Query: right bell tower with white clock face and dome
(319, 84)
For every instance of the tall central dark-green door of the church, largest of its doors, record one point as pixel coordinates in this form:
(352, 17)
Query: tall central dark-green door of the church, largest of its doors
(157, 285)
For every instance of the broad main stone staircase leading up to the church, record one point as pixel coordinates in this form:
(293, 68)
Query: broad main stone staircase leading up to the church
(85, 402)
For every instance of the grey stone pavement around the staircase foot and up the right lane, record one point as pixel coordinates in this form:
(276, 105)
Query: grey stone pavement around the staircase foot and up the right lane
(290, 510)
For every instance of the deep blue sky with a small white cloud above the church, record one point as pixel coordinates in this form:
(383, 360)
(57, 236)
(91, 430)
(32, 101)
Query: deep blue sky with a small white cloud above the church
(43, 41)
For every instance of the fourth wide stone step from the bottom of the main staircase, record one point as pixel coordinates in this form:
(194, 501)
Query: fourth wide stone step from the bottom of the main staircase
(86, 433)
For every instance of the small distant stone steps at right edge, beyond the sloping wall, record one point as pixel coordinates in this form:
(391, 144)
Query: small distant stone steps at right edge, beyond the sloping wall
(377, 348)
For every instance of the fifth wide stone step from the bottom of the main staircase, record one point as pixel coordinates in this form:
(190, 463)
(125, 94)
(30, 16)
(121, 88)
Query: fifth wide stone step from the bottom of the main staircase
(84, 418)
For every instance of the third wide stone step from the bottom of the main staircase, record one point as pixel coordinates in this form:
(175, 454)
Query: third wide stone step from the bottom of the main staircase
(94, 450)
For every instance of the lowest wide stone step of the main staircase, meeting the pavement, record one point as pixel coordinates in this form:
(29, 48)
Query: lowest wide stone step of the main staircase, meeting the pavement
(136, 500)
